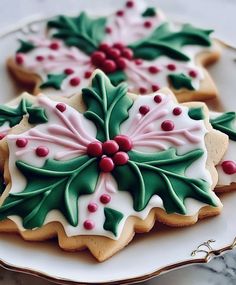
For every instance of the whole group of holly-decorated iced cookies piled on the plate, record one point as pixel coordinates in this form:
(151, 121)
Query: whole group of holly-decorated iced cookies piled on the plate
(110, 141)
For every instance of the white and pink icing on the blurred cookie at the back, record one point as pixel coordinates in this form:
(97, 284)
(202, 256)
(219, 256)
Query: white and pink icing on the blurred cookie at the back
(126, 29)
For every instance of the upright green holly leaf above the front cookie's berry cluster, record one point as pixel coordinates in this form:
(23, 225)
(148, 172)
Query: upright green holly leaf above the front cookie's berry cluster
(107, 106)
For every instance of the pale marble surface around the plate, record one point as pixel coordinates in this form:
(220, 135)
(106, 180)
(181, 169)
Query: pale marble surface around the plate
(221, 270)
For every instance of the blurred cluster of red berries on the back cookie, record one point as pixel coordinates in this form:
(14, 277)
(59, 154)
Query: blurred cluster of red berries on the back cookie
(111, 58)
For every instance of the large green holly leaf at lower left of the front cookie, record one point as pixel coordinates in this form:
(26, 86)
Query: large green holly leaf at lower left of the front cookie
(55, 185)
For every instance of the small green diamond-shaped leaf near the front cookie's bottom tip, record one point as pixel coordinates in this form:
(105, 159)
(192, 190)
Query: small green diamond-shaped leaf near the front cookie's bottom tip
(112, 220)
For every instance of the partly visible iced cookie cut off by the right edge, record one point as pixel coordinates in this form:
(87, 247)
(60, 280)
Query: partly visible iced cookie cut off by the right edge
(226, 123)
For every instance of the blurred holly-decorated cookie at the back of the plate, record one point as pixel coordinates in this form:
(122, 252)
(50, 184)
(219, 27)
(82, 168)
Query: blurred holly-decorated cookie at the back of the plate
(136, 45)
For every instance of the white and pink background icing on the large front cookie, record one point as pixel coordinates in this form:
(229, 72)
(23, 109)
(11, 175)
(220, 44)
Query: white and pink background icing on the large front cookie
(120, 201)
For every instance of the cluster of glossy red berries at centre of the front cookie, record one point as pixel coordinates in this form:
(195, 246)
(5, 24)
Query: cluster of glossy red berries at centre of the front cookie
(111, 152)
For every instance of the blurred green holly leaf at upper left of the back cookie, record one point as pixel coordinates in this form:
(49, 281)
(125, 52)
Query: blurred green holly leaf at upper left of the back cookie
(82, 31)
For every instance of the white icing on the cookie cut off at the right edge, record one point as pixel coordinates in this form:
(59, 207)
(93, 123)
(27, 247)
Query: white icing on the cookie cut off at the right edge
(230, 154)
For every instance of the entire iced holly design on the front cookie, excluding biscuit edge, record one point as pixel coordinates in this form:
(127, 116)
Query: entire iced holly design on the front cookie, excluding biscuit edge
(71, 181)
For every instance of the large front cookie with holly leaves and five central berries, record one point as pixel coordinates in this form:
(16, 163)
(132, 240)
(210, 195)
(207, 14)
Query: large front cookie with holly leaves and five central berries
(95, 175)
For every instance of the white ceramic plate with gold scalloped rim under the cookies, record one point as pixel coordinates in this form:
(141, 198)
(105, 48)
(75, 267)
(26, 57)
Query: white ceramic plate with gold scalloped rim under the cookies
(149, 254)
